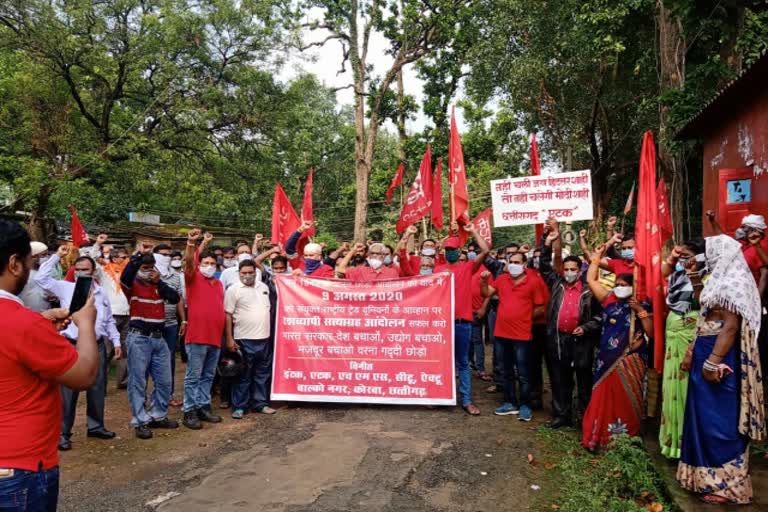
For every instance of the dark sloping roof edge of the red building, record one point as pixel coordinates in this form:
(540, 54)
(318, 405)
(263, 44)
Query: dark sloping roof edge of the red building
(728, 99)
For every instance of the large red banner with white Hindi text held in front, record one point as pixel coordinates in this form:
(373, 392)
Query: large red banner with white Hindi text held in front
(384, 342)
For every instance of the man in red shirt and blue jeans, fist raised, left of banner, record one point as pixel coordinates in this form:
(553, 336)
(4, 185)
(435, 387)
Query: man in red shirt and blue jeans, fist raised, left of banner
(205, 328)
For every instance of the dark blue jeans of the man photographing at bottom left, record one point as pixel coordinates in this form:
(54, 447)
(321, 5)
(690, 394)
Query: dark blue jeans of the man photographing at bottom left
(30, 491)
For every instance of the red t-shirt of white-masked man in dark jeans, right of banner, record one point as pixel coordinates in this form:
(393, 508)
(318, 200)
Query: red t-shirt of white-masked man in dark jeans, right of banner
(514, 319)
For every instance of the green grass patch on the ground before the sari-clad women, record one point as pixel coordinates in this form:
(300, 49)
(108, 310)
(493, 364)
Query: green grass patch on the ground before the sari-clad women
(623, 479)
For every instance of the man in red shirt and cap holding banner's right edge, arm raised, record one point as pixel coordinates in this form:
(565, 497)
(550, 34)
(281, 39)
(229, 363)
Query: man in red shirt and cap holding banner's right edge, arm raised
(463, 272)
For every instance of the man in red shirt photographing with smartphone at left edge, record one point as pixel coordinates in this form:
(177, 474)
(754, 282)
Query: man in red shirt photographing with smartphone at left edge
(34, 361)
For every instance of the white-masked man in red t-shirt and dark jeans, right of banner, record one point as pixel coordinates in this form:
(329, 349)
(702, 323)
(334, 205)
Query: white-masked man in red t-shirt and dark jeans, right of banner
(520, 302)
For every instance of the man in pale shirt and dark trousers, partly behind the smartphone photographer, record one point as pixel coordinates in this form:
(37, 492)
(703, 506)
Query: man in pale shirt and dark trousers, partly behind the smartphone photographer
(106, 329)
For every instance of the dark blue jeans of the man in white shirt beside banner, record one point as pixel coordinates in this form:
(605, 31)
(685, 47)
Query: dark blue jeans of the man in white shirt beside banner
(253, 384)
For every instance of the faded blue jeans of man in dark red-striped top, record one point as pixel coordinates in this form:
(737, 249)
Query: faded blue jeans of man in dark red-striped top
(148, 355)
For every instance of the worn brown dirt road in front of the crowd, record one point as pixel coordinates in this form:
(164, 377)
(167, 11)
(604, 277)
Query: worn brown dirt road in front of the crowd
(318, 457)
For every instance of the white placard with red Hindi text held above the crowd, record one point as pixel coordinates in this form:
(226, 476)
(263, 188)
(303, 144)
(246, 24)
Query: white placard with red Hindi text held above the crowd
(533, 199)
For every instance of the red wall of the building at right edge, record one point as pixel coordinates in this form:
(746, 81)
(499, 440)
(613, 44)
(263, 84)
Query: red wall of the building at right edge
(739, 142)
